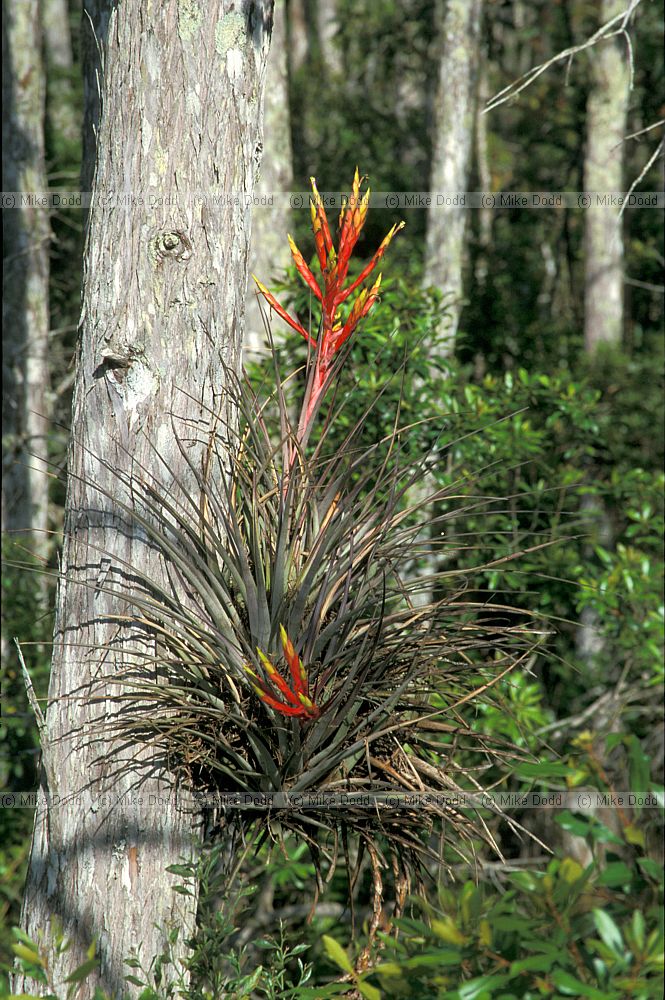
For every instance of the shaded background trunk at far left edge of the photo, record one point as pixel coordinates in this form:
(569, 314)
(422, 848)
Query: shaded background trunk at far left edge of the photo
(25, 313)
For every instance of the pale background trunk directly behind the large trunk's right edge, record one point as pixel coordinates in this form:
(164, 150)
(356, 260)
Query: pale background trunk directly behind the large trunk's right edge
(270, 223)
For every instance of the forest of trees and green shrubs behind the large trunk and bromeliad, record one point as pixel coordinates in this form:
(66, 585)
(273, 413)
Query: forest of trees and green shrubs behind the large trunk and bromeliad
(550, 395)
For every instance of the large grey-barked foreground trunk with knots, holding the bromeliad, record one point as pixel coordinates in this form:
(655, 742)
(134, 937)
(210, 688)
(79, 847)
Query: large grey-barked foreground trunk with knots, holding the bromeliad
(165, 274)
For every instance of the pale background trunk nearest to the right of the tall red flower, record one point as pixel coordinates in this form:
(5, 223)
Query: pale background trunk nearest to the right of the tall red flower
(453, 139)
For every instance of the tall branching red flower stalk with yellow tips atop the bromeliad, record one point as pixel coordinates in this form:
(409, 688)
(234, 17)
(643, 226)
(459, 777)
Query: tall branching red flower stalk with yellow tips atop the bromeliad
(331, 292)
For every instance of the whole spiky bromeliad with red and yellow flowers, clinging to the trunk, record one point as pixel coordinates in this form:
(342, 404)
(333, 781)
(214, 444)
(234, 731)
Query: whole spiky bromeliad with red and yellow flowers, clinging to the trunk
(317, 560)
